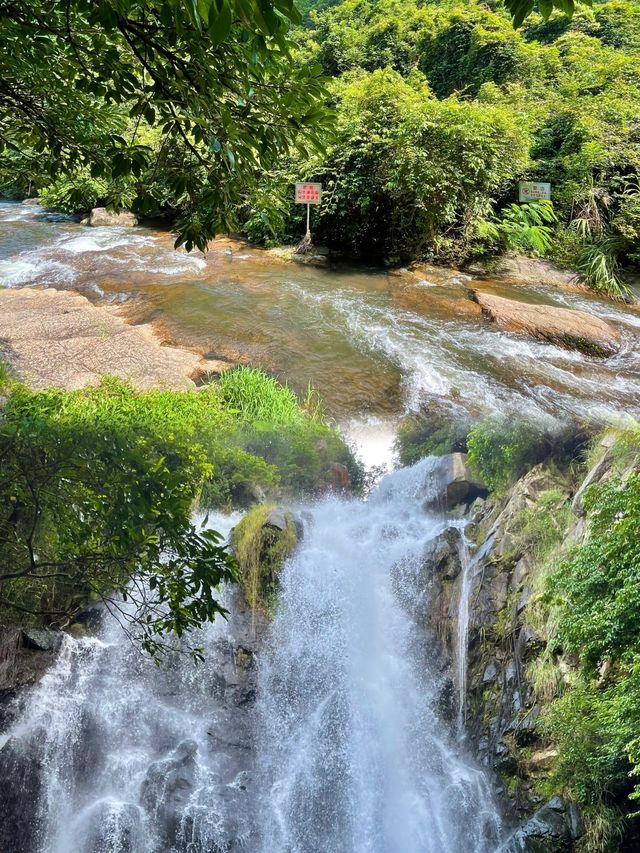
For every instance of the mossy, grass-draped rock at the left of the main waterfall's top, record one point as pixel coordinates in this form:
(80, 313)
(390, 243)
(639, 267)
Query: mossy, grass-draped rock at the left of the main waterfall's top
(261, 542)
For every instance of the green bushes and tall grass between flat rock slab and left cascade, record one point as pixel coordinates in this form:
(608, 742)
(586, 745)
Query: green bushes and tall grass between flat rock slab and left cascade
(98, 490)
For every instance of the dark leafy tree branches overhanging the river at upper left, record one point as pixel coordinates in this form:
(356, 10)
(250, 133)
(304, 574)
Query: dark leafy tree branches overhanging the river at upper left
(82, 83)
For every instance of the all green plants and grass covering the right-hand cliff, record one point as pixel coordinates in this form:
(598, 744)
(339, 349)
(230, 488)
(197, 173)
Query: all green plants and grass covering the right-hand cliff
(587, 660)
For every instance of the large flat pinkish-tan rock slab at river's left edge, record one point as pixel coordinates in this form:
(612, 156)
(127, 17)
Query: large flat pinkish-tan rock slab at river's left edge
(58, 338)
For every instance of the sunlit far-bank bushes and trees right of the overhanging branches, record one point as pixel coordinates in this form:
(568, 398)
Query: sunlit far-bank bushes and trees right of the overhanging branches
(442, 107)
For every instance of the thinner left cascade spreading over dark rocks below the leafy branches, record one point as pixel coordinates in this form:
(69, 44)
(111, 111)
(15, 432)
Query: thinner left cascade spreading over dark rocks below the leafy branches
(122, 756)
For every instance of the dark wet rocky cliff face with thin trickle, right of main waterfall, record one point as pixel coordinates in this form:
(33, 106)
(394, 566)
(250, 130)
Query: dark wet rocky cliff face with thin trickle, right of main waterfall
(497, 575)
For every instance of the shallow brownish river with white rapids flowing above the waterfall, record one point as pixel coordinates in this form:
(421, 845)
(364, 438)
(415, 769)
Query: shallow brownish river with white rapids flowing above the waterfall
(373, 344)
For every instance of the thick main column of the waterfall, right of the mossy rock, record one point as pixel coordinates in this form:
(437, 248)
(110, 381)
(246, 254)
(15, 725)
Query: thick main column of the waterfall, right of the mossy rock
(354, 758)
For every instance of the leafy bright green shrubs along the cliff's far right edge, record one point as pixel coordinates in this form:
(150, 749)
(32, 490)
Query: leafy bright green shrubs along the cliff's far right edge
(594, 593)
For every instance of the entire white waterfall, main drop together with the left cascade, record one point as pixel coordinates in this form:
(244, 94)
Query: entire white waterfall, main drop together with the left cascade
(343, 751)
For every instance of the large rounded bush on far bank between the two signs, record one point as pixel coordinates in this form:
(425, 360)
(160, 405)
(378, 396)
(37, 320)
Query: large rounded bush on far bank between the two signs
(406, 167)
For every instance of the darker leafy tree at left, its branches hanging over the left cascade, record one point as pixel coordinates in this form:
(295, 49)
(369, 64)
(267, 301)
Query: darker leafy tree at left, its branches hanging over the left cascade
(102, 509)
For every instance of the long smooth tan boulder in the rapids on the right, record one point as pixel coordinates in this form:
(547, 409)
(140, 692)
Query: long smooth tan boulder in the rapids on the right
(564, 327)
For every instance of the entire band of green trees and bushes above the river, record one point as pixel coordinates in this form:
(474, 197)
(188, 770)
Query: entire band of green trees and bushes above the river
(210, 112)
